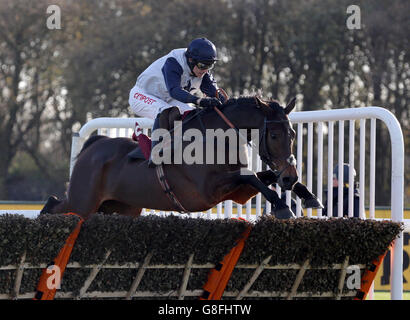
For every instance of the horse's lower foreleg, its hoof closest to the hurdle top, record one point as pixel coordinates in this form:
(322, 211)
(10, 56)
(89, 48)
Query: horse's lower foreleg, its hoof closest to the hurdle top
(281, 210)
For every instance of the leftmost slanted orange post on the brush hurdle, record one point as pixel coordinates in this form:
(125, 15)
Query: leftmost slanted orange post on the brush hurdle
(44, 292)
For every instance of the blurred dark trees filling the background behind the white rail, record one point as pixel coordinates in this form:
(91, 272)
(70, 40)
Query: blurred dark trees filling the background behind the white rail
(53, 81)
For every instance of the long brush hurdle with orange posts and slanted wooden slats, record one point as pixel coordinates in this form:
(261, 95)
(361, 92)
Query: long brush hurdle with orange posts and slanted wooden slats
(208, 259)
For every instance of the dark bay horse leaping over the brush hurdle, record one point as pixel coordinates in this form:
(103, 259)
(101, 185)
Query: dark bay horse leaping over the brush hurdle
(105, 180)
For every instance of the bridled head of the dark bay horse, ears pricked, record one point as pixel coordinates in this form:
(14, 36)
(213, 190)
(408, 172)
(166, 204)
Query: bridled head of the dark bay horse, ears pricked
(276, 141)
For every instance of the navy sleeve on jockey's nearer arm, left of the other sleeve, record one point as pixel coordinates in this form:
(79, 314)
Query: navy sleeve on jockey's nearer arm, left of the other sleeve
(172, 72)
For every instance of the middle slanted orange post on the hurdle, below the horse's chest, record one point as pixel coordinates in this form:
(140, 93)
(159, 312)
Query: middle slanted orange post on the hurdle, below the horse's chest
(220, 275)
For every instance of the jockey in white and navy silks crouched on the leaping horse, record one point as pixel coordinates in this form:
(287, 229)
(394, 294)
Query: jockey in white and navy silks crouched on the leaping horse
(176, 80)
